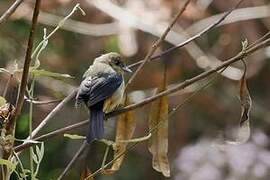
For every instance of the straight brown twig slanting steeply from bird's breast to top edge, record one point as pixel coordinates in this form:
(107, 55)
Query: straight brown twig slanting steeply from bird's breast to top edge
(157, 43)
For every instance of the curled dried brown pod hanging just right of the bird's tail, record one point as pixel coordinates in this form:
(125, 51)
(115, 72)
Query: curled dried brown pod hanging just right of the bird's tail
(126, 125)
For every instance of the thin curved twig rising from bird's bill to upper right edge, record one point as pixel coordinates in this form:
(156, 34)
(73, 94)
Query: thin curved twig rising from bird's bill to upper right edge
(207, 29)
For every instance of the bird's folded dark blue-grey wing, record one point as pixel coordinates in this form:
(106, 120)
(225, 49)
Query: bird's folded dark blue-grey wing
(96, 89)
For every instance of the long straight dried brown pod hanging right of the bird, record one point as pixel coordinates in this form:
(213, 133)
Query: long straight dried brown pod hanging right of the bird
(158, 144)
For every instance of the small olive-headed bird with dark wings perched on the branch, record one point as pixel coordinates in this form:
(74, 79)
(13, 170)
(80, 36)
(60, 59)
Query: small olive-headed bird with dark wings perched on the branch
(102, 91)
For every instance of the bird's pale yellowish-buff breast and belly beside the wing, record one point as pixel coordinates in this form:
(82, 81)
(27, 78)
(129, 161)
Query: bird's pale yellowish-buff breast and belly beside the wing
(115, 100)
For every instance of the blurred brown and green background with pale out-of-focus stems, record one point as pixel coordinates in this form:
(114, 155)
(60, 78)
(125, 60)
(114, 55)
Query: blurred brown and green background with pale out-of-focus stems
(130, 27)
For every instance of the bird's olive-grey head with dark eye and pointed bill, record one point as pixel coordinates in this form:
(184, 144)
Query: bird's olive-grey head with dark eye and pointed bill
(115, 61)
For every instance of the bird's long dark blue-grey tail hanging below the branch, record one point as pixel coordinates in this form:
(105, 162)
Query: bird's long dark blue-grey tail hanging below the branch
(96, 129)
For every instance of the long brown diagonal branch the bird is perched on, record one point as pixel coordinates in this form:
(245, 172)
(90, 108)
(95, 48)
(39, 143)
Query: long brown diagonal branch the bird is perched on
(251, 49)
